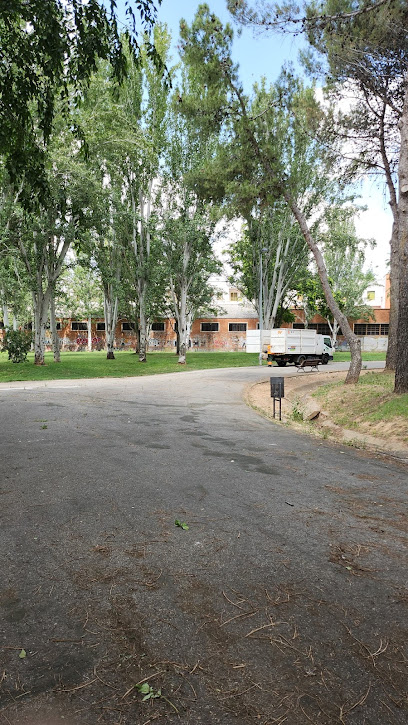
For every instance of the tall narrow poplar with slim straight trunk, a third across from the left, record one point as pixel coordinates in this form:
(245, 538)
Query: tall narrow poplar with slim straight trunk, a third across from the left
(126, 137)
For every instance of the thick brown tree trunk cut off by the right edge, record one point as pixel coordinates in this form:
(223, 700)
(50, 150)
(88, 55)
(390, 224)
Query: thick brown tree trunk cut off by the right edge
(401, 367)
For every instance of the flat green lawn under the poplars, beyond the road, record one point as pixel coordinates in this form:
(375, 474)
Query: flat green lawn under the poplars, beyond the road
(126, 364)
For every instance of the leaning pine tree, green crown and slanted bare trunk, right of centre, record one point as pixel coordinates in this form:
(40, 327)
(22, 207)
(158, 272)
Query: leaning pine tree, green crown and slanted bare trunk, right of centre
(273, 135)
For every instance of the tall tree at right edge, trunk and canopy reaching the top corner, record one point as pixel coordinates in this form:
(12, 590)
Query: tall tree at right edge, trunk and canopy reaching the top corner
(367, 43)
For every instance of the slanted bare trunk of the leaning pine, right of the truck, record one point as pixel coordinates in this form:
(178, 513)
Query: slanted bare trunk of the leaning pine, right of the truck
(353, 341)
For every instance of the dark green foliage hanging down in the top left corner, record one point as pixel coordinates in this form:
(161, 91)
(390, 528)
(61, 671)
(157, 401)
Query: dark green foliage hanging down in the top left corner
(49, 51)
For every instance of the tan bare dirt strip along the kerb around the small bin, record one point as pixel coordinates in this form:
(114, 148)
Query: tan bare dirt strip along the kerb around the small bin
(298, 392)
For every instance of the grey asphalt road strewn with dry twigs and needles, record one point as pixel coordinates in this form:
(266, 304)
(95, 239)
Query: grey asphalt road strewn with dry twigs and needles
(284, 601)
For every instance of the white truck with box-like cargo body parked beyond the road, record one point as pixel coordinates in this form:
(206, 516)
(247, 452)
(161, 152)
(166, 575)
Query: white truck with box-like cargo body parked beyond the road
(285, 345)
